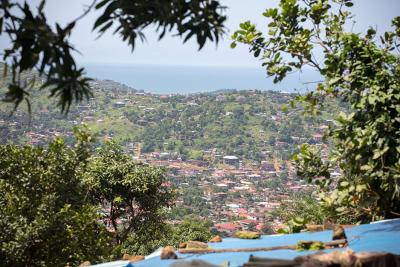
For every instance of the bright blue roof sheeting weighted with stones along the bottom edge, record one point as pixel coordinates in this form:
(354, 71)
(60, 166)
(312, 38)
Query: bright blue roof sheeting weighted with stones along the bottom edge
(382, 236)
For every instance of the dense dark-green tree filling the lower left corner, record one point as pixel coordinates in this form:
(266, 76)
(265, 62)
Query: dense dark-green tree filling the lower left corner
(45, 218)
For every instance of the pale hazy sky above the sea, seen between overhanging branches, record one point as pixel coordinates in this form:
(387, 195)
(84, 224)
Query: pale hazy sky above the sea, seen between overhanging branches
(110, 49)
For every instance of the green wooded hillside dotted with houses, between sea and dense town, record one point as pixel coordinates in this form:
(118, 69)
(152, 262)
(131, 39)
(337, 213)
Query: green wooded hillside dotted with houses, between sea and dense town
(247, 124)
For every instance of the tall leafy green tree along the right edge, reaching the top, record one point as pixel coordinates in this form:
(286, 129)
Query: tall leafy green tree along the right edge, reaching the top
(361, 70)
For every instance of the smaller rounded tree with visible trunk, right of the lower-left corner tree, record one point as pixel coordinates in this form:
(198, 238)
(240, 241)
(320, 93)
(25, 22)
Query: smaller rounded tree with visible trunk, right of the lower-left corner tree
(131, 193)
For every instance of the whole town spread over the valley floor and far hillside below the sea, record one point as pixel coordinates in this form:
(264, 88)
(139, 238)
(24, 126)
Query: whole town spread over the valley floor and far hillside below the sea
(228, 153)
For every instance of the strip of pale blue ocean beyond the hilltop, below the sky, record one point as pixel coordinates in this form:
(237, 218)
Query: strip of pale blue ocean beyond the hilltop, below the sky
(163, 79)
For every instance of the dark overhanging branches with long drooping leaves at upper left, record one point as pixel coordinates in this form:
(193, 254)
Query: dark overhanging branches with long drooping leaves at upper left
(37, 45)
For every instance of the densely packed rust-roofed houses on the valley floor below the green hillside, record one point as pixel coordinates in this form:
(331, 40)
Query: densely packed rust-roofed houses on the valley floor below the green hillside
(236, 194)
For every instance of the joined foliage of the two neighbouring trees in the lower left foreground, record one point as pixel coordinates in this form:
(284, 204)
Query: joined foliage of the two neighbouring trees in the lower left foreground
(55, 202)
